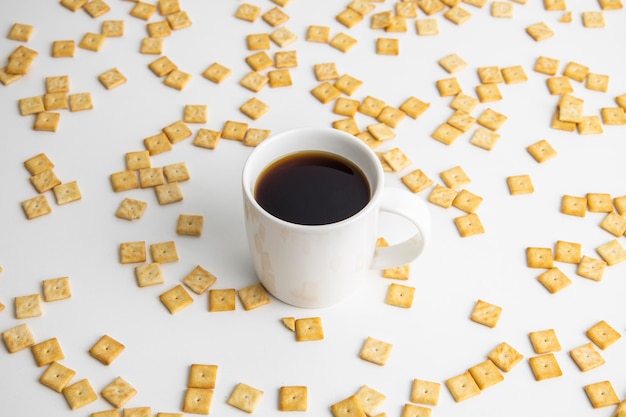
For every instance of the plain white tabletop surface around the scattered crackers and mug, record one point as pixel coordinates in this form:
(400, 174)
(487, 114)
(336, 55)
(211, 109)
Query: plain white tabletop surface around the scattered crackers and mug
(434, 340)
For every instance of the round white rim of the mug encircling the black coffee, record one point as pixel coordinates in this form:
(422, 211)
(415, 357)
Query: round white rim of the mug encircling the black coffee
(376, 183)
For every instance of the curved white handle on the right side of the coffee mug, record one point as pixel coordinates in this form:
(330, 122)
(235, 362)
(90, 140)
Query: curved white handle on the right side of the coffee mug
(406, 205)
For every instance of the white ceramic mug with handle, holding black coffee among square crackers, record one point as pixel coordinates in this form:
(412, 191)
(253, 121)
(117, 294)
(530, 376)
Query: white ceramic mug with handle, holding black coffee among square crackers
(318, 266)
